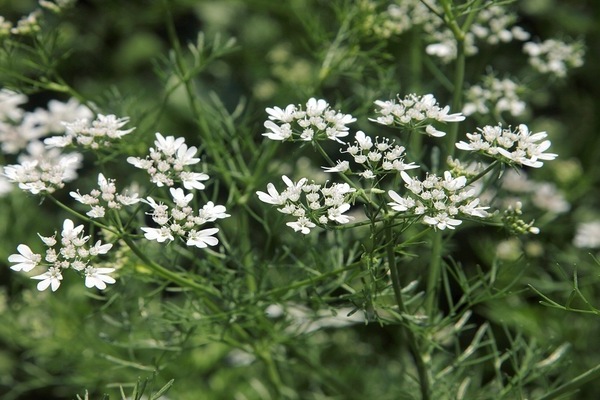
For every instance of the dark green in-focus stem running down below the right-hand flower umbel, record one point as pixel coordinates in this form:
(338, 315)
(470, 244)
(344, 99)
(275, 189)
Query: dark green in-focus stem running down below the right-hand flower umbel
(411, 338)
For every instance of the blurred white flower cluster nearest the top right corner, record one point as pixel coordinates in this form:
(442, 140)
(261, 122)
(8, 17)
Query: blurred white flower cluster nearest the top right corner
(554, 57)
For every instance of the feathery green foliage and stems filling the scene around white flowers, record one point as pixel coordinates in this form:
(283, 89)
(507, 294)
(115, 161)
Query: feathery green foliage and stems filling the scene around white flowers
(385, 307)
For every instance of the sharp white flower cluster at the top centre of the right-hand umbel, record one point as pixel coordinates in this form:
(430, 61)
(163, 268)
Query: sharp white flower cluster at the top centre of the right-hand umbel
(415, 112)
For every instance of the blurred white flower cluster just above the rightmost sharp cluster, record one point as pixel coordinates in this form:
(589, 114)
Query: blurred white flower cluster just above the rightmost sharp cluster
(497, 95)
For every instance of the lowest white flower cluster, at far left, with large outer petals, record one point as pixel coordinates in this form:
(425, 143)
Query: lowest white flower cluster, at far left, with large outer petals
(70, 252)
